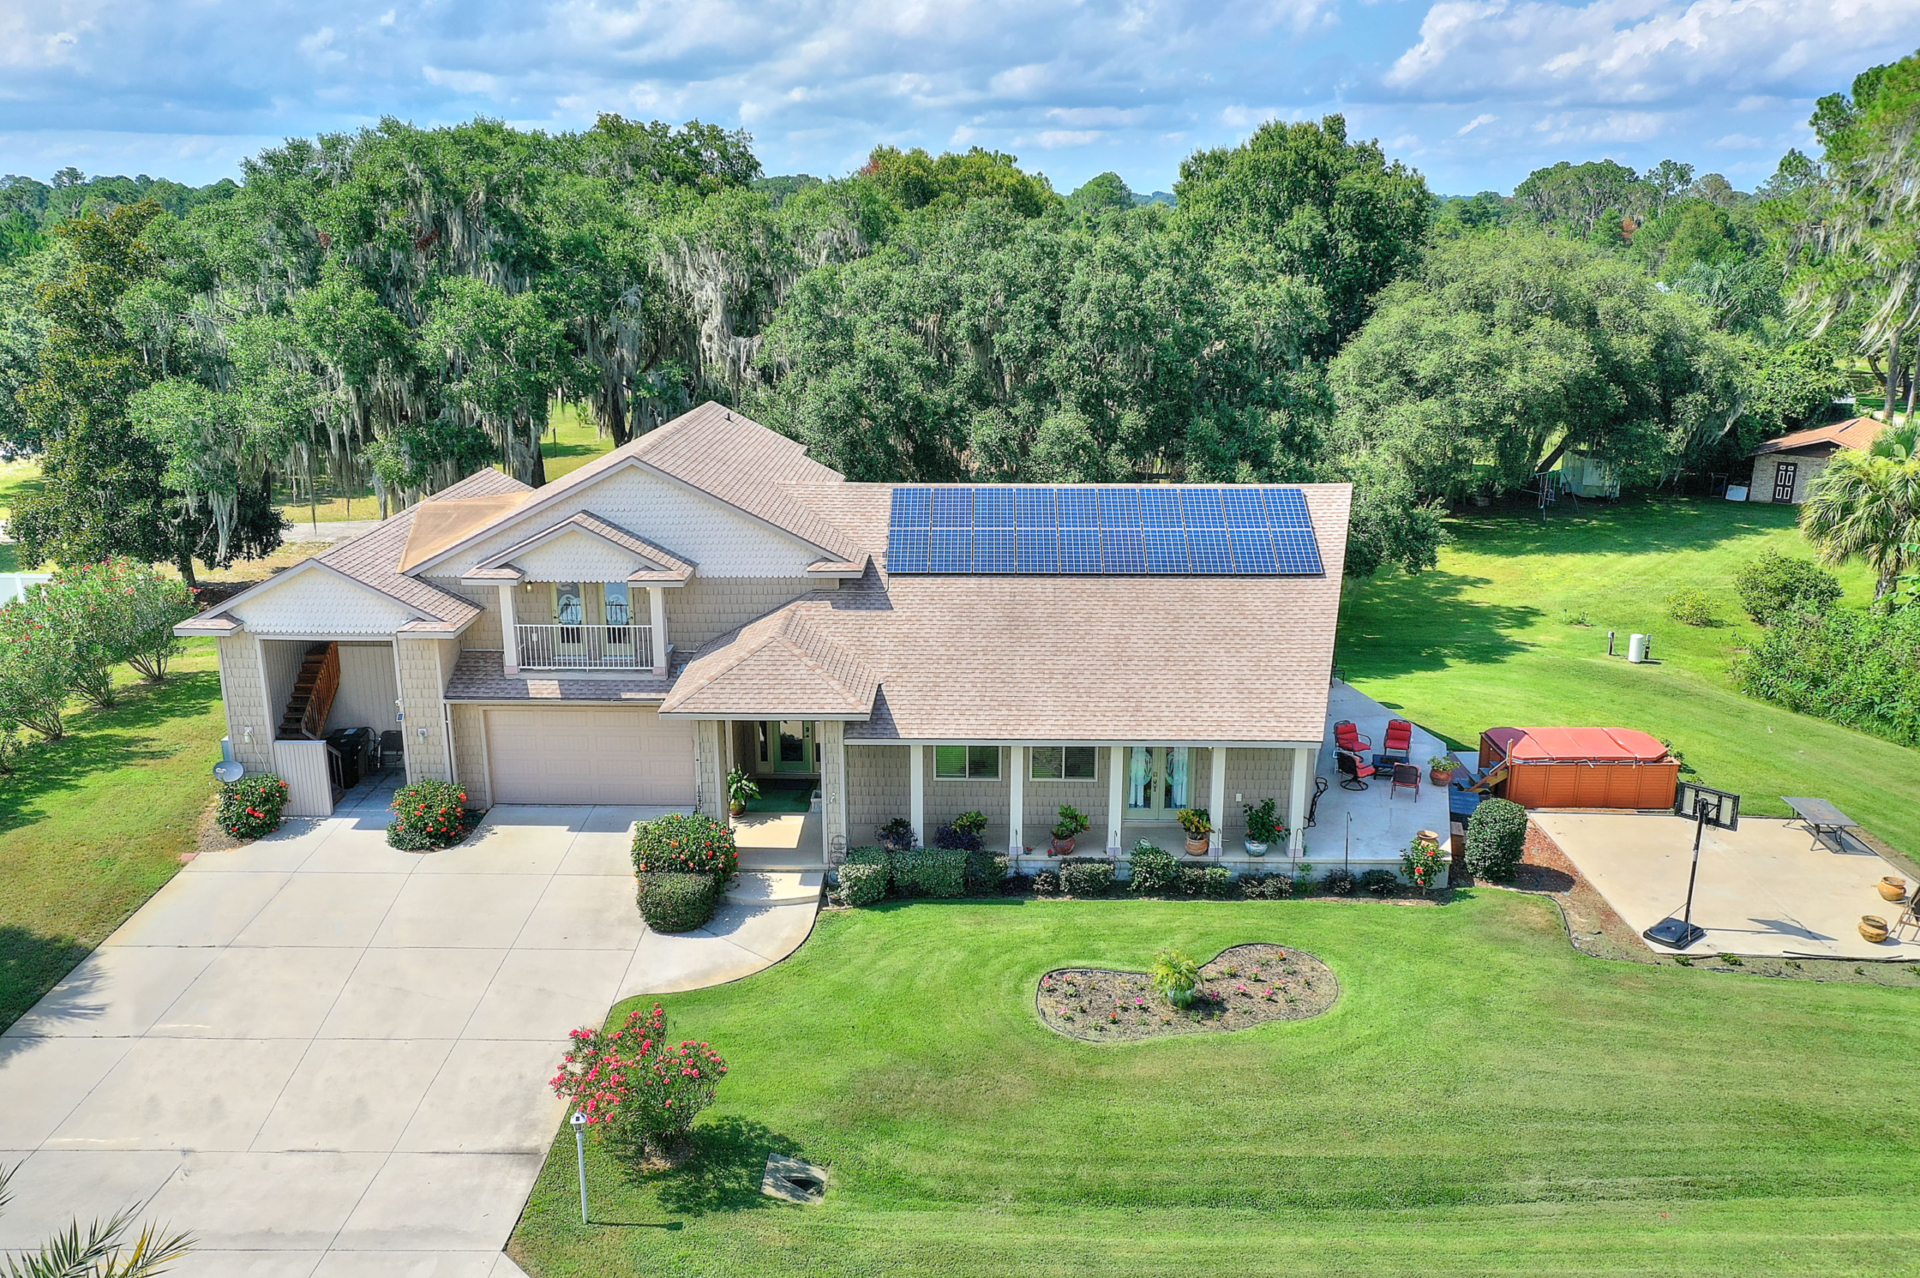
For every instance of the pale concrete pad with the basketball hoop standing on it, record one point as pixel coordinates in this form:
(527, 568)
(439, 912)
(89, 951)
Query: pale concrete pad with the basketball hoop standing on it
(1764, 889)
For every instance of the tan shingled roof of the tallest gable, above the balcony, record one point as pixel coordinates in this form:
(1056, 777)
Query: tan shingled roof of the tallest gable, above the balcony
(719, 454)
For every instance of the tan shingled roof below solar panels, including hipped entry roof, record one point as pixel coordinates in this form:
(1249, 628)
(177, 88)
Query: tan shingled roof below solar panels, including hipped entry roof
(1061, 657)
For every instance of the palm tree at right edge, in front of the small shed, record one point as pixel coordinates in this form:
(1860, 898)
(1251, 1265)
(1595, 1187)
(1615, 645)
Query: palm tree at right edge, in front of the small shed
(1867, 508)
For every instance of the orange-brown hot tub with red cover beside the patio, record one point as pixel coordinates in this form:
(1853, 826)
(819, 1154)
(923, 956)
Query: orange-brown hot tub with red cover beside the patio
(1583, 767)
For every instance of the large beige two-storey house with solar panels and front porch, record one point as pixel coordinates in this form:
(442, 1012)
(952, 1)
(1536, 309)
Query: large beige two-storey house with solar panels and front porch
(709, 598)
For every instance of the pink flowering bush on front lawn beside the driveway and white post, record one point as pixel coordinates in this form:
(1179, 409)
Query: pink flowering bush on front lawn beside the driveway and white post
(631, 1081)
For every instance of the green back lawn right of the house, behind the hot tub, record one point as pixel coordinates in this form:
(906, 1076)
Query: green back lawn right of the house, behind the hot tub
(1487, 640)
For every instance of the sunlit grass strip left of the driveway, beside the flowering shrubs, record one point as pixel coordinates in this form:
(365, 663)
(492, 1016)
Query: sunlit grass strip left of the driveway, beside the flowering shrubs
(91, 826)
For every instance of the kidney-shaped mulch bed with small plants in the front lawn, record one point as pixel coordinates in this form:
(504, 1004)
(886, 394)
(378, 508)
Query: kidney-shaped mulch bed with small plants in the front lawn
(1243, 987)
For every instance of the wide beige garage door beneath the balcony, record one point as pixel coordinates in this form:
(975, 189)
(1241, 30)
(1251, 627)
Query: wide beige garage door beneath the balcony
(590, 757)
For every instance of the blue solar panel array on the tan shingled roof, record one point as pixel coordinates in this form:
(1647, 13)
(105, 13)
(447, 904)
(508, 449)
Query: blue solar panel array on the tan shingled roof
(1113, 531)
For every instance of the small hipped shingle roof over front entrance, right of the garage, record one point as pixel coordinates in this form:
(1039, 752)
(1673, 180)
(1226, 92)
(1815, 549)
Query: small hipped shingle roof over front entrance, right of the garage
(786, 665)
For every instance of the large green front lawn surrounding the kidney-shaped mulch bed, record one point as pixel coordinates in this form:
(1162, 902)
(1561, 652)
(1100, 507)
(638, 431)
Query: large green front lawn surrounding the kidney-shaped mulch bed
(1483, 1099)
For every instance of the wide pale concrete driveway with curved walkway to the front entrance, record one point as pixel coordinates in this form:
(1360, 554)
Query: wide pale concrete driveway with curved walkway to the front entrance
(331, 1058)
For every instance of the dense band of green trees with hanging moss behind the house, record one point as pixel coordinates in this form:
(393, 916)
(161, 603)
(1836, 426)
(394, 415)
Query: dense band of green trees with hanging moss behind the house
(400, 306)
